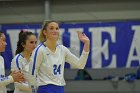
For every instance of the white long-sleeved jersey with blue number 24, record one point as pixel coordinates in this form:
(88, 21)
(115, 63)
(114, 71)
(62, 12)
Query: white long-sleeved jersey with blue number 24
(49, 66)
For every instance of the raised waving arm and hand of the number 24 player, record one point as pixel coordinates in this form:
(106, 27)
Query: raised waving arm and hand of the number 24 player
(75, 61)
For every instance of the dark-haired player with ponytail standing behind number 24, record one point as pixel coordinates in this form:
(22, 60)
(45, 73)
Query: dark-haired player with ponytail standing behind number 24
(25, 45)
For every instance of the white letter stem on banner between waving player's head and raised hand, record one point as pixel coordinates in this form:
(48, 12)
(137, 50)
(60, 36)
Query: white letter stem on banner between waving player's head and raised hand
(74, 41)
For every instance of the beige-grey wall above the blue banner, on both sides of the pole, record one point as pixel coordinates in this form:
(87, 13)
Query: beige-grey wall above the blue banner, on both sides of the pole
(69, 10)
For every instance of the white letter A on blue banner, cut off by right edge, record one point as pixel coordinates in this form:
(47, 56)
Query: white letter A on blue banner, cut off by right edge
(134, 46)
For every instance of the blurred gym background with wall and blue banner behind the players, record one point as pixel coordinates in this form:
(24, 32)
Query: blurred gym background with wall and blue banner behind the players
(113, 27)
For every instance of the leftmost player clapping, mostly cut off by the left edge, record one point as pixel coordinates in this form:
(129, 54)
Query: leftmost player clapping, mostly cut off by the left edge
(15, 76)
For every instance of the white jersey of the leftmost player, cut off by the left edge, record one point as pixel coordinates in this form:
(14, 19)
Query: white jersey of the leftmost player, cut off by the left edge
(4, 80)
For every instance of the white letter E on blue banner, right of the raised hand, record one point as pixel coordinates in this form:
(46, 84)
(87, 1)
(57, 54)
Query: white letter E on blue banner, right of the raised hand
(98, 49)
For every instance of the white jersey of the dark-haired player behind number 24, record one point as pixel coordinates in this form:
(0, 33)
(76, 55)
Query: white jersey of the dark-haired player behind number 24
(20, 63)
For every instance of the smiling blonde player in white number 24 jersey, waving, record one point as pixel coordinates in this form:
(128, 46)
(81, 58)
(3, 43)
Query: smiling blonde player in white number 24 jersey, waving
(48, 60)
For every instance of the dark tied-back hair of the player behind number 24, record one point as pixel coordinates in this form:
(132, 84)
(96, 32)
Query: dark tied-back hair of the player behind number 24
(23, 36)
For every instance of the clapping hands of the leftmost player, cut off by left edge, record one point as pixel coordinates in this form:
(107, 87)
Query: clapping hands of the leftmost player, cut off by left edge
(18, 76)
